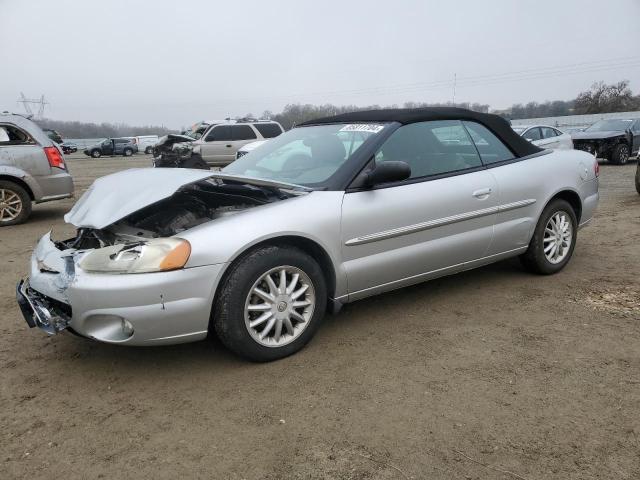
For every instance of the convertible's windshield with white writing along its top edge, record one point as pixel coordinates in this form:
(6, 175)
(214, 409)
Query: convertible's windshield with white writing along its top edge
(307, 156)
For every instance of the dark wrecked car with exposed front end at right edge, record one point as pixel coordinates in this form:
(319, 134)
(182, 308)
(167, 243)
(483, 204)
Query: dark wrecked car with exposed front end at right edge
(614, 140)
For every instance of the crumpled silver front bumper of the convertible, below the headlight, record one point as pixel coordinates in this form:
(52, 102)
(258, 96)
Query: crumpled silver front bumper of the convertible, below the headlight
(132, 309)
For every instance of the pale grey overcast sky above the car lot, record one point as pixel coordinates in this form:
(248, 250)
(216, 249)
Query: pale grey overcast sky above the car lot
(175, 62)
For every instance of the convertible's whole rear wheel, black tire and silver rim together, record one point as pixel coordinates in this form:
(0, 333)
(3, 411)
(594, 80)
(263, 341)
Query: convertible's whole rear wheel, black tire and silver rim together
(553, 239)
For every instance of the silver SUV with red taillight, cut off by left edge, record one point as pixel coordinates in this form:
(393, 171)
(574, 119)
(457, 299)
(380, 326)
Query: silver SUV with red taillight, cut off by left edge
(32, 169)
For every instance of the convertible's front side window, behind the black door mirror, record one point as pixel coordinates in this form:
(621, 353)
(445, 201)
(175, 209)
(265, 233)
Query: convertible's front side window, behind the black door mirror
(431, 148)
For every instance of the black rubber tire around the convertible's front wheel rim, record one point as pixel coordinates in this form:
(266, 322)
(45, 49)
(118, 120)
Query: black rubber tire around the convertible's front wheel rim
(228, 313)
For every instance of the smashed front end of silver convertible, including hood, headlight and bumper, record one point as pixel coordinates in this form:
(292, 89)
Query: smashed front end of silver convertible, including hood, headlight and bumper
(123, 277)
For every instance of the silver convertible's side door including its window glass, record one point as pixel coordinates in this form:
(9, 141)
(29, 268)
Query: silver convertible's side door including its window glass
(435, 222)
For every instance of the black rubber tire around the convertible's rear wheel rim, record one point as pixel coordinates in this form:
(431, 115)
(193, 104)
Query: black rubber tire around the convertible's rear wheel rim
(534, 258)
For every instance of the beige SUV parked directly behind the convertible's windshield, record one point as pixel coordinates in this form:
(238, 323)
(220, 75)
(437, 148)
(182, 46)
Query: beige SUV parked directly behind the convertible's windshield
(220, 142)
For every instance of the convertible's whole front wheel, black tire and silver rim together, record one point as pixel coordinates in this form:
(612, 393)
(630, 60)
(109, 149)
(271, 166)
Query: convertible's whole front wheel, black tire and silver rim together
(271, 303)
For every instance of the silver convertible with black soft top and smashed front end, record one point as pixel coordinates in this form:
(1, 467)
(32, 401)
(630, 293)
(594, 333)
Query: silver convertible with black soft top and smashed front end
(333, 211)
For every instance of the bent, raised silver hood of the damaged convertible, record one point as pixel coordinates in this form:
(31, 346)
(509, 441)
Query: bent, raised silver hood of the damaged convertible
(118, 195)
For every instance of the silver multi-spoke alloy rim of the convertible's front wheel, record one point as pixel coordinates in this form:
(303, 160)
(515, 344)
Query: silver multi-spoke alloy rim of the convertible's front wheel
(279, 306)
